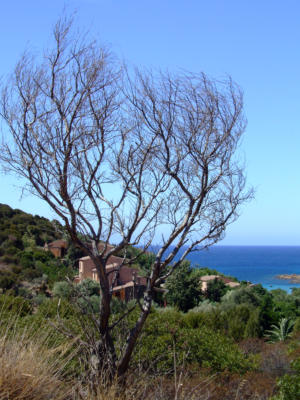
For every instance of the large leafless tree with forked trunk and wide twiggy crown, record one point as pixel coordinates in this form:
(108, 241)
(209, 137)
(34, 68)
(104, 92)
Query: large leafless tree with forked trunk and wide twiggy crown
(124, 157)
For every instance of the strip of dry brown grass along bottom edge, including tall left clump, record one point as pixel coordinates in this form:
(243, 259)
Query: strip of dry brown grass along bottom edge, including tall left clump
(31, 369)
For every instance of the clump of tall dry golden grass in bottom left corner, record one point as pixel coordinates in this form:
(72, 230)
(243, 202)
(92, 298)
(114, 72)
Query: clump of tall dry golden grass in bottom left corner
(29, 370)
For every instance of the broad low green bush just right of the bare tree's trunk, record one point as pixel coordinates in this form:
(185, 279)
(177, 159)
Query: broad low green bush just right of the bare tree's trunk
(169, 334)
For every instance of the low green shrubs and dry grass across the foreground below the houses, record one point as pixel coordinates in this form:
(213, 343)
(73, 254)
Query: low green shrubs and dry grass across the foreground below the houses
(191, 346)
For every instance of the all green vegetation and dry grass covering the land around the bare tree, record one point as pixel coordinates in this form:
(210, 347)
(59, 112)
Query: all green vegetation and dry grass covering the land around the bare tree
(238, 334)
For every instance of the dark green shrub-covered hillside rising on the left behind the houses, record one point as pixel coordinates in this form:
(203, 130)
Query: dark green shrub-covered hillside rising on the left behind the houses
(25, 268)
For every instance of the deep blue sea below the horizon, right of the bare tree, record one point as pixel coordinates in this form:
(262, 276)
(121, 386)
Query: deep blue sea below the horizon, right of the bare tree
(257, 264)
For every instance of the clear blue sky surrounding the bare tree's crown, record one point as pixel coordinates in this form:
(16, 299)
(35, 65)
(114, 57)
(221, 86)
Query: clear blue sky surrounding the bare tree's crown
(256, 42)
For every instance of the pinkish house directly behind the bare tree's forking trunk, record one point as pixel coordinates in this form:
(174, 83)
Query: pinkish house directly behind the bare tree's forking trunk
(125, 281)
